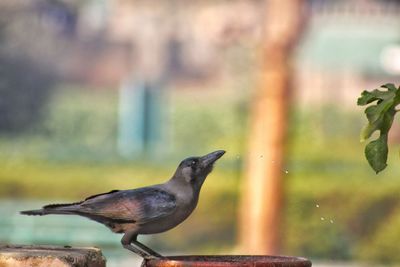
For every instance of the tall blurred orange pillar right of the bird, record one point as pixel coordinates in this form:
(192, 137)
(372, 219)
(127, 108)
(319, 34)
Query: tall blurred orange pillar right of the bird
(262, 195)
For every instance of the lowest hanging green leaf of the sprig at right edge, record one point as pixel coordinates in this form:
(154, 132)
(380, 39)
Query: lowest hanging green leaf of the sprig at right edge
(376, 153)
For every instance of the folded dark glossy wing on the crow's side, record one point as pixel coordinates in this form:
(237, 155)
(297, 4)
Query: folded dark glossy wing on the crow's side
(138, 205)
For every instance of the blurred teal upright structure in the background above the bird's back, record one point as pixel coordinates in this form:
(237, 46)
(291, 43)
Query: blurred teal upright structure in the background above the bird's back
(142, 119)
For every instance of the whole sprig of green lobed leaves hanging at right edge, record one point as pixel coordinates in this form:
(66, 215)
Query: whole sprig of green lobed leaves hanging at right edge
(380, 117)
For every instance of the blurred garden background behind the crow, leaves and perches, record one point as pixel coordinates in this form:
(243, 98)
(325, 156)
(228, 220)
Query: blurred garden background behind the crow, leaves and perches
(111, 94)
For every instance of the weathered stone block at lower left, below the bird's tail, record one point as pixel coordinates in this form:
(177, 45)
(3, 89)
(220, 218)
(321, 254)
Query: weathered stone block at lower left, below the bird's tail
(55, 256)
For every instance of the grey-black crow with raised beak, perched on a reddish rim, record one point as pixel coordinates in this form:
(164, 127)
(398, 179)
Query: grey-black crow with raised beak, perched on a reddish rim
(146, 210)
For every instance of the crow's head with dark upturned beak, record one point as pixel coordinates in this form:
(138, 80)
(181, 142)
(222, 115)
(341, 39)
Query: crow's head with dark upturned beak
(194, 170)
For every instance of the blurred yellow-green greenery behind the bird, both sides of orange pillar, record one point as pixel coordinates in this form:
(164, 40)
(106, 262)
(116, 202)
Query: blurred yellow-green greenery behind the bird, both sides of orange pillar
(335, 206)
